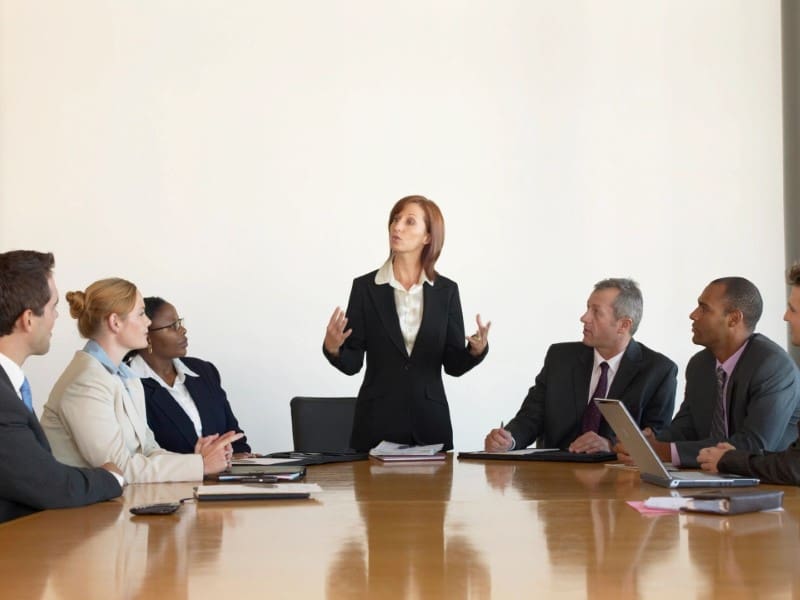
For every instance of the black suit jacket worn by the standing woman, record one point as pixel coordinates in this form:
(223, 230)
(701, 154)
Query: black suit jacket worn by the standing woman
(402, 397)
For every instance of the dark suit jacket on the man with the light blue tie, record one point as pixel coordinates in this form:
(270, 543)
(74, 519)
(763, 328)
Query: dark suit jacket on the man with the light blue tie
(30, 478)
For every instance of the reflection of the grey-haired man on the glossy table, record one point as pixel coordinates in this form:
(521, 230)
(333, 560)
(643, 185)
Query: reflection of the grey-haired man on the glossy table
(592, 530)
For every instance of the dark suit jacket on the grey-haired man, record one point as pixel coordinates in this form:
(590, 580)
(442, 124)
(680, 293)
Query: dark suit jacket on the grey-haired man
(552, 411)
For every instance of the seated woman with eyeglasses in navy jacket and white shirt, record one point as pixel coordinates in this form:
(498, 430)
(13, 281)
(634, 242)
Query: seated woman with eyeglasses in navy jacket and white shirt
(183, 395)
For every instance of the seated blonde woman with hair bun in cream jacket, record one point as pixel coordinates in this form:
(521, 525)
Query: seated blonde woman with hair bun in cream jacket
(96, 410)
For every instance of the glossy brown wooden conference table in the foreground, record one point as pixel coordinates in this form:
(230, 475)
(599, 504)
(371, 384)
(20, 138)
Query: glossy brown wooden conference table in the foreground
(462, 529)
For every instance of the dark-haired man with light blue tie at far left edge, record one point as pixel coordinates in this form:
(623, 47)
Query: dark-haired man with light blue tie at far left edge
(30, 478)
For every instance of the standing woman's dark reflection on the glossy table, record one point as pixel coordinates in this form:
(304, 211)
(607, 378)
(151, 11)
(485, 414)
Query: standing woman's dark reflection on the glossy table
(409, 550)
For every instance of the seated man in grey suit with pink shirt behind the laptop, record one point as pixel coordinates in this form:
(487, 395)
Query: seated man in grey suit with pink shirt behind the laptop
(742, 389)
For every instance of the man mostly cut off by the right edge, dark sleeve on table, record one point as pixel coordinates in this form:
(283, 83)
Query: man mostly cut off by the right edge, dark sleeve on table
(770, 467)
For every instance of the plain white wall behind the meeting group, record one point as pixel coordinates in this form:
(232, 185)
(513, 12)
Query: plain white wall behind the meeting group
(240, 159)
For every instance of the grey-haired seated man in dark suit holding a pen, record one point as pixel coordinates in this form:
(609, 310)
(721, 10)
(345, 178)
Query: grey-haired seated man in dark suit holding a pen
(558, 412)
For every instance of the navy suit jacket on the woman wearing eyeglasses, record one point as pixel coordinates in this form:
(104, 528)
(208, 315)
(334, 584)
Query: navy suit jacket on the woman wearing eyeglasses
(172, 427)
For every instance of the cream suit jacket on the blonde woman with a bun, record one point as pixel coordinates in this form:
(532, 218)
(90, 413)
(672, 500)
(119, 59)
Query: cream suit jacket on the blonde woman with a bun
(90, 419)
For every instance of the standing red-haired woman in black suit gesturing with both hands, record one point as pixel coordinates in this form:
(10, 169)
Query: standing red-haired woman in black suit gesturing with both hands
(407, 318)
